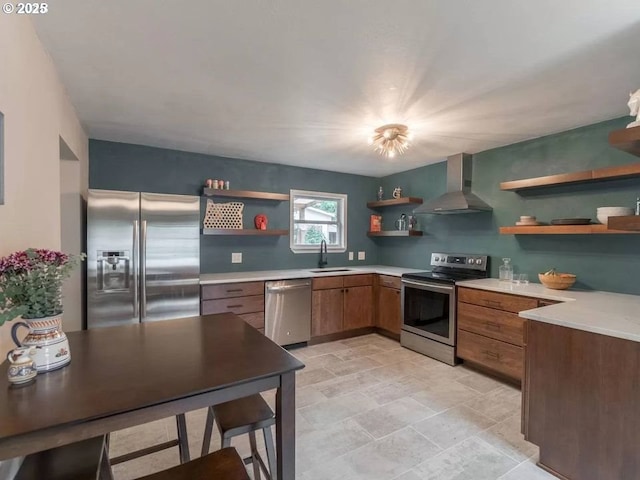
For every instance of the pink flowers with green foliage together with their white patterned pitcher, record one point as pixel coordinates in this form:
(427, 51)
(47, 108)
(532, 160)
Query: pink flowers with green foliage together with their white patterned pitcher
(31, 287)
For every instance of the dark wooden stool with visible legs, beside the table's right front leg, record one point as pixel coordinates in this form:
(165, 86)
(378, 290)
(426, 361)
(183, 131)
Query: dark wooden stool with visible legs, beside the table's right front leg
(237, 417)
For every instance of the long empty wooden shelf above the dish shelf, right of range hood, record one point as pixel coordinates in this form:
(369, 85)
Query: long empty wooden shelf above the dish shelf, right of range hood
(587, 176)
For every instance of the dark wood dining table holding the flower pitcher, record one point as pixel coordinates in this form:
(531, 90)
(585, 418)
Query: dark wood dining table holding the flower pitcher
(133, 374)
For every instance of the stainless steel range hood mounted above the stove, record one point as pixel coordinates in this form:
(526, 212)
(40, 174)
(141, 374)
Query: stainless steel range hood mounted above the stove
(459, 198)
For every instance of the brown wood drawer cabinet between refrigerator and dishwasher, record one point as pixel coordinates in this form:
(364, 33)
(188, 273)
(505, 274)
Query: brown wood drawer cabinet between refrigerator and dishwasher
(246, 299)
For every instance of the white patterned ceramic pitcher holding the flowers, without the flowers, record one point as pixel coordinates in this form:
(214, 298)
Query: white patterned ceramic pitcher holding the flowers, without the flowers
(50, 342)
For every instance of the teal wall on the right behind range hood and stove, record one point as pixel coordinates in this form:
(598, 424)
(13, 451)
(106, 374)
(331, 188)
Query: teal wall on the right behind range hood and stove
(604, 262)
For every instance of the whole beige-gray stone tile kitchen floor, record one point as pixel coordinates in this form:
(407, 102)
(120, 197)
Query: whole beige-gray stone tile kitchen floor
(370, 409)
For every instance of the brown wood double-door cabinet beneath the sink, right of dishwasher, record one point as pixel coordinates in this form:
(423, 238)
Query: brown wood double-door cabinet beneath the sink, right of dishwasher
(341, 303)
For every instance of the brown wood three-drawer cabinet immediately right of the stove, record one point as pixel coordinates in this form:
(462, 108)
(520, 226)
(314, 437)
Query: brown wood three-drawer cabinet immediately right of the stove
(490, 332)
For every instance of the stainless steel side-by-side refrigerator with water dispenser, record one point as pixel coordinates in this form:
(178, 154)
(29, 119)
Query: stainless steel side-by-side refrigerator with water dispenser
(143, 257)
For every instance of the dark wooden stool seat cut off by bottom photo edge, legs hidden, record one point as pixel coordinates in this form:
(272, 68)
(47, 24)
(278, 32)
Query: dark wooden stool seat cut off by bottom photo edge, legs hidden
(223, 464)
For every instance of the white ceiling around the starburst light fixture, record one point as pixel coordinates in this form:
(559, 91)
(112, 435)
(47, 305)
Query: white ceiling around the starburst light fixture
(304, 82)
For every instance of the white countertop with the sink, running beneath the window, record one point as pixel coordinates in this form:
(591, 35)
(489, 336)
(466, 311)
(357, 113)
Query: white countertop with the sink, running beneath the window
(214, 278)
